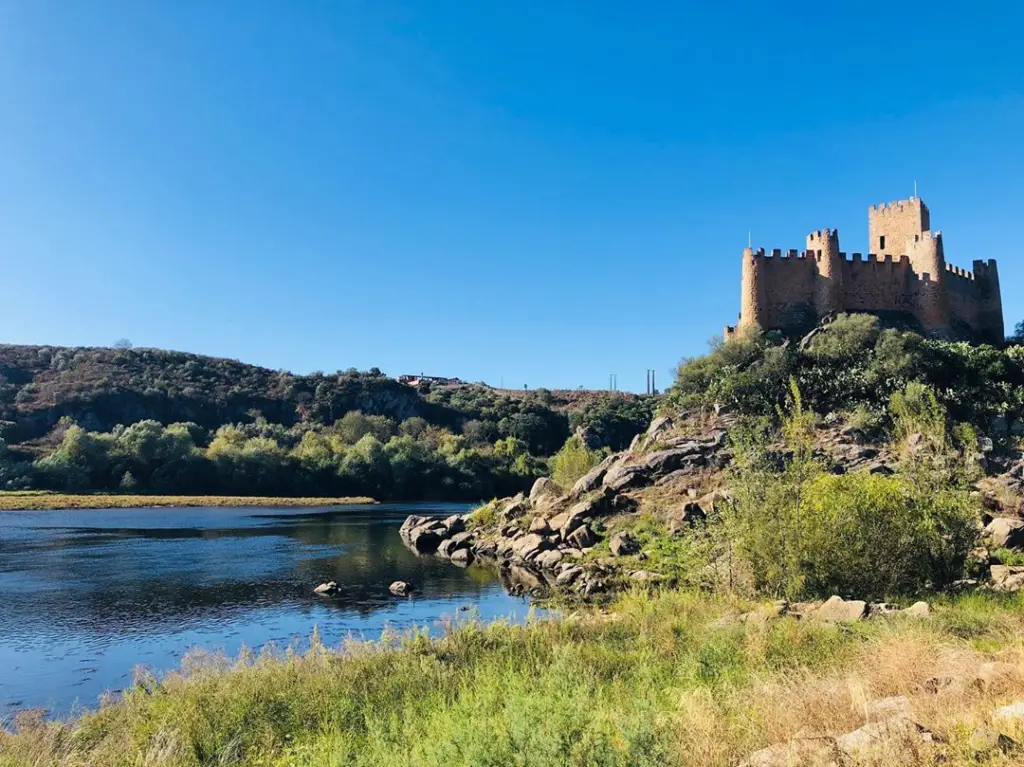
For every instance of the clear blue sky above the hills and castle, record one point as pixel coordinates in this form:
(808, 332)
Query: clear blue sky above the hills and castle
(536, 192)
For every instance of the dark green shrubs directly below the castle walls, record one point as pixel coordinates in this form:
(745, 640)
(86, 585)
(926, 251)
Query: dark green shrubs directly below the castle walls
(848, 364)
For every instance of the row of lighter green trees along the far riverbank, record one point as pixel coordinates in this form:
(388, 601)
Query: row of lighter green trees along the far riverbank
(360, 456)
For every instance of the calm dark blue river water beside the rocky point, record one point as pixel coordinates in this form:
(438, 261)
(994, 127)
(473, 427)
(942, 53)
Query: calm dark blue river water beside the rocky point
(87, 596)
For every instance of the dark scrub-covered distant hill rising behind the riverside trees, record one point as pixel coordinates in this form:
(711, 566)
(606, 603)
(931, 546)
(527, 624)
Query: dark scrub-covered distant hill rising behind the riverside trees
(101, 388)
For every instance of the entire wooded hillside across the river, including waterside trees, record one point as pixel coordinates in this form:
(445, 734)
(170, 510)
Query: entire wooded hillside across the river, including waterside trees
(149, 420)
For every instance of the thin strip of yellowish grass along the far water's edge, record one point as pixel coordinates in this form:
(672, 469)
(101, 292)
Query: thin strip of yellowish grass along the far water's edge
(41, 501)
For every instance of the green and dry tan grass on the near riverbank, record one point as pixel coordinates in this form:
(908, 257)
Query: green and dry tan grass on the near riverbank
(659, 680)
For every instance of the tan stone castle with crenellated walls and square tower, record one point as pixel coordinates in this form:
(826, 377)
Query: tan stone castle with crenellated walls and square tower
(910, 283)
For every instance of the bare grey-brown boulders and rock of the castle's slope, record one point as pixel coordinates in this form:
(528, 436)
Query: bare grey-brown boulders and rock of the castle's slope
(581, 542)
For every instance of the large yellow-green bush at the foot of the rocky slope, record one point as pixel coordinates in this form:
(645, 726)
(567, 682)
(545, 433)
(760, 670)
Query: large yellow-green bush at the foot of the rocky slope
(806, 533)
